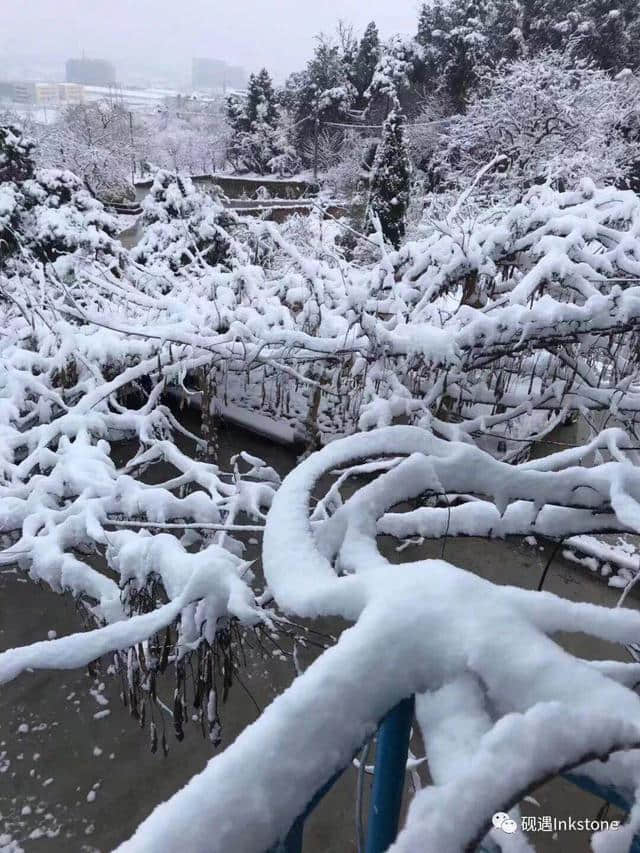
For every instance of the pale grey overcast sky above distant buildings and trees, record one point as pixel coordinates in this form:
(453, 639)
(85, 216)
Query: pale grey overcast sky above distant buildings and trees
(253, 33)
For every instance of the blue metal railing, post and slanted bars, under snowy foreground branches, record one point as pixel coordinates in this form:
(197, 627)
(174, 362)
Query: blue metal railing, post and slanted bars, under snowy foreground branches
(388, 785)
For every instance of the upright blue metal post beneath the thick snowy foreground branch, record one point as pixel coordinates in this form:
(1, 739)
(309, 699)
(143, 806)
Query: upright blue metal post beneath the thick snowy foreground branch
(388, 781)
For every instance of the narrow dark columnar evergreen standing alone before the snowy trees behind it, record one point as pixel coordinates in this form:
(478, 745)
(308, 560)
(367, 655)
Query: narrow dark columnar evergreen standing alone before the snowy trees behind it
(390, 179)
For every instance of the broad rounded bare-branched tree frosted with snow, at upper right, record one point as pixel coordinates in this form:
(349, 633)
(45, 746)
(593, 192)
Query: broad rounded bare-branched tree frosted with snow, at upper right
(546, 120)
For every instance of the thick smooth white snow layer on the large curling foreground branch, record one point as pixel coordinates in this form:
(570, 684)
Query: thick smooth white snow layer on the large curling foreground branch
(482, 656)
